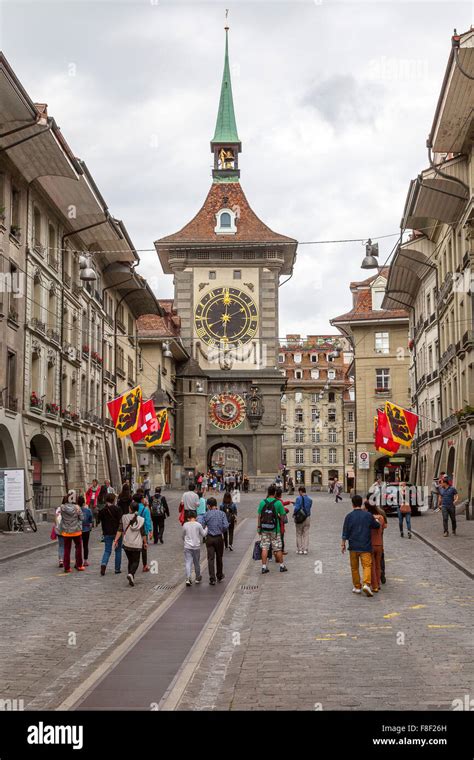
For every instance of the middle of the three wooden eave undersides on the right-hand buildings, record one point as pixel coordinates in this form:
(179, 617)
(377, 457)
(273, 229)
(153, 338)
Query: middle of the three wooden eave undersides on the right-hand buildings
(431, 200)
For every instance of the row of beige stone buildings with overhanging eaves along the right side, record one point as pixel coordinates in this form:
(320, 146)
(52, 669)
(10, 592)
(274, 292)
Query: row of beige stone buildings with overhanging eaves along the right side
(432, 275)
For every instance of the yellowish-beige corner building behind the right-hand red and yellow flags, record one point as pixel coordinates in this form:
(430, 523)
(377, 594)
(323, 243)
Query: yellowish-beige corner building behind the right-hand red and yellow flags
(379, 341)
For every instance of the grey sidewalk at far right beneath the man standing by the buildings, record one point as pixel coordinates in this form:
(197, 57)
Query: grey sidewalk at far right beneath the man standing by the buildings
(459, 548)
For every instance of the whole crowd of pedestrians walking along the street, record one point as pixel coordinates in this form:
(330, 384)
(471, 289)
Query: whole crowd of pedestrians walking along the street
(130, 521)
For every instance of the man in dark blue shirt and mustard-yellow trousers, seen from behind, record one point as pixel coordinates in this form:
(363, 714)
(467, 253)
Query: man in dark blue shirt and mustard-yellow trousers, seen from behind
(357, 530)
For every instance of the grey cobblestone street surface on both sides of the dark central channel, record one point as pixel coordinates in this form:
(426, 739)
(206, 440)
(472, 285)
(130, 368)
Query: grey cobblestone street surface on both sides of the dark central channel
(299, 640)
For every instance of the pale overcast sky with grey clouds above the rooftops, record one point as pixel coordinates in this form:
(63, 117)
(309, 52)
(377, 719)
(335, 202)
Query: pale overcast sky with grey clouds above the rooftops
(333, 100)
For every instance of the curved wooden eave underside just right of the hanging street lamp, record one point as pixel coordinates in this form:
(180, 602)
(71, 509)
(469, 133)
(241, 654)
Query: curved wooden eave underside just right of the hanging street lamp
(409, 267)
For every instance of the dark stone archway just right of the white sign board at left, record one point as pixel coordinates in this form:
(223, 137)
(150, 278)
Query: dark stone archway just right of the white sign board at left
(46, 472)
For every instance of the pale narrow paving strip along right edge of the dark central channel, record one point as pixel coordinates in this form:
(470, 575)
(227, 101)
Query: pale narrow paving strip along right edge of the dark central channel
(177, 687)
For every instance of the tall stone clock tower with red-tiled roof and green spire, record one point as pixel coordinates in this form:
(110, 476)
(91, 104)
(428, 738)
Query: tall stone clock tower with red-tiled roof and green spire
(227, 265)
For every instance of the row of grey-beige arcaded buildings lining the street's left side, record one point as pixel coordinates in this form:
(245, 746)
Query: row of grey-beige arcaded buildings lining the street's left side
(68, 328)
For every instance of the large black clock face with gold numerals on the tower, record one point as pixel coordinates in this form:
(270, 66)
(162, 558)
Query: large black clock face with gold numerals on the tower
(226, 315)
